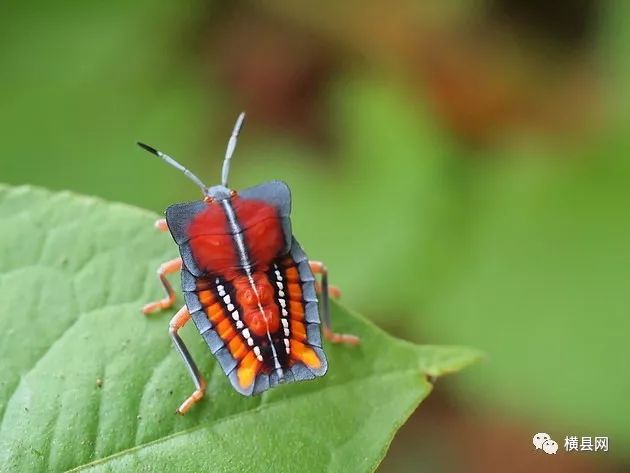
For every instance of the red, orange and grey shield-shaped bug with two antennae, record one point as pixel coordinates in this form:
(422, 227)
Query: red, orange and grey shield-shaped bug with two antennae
(248, 285)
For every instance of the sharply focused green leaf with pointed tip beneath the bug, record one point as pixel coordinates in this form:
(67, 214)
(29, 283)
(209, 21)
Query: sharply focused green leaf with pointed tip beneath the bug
(87, 382)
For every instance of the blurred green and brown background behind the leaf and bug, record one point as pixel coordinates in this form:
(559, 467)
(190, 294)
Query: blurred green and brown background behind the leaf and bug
(462, 167)
